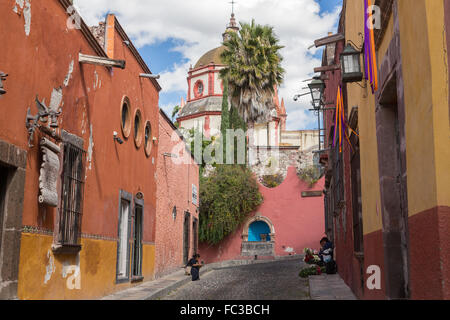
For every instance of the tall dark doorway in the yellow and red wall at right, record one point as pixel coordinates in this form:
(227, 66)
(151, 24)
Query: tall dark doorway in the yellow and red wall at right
(393, 189)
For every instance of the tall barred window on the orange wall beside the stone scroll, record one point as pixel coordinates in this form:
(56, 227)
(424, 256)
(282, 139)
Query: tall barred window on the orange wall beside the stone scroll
(71, 197)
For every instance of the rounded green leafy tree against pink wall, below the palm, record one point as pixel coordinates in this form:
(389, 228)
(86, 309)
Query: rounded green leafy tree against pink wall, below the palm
(227, 197)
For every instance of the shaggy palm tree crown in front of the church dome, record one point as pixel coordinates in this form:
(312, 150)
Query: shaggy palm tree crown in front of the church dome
(253, 70)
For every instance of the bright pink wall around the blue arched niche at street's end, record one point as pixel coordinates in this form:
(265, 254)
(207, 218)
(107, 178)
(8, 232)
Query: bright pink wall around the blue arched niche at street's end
(298, 222)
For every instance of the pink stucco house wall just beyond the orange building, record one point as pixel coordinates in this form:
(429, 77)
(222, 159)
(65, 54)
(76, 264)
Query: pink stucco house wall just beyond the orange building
(174, 188)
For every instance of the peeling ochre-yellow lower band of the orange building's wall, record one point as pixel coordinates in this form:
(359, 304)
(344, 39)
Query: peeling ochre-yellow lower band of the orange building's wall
(45, 276)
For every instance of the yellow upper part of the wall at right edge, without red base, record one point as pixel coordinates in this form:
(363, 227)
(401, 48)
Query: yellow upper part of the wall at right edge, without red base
(426, 109)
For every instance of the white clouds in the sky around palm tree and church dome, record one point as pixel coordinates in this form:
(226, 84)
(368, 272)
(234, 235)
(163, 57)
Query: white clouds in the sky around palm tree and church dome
(200, 24)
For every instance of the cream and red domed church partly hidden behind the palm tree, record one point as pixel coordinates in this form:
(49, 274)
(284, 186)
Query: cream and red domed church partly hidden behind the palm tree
(203, 109)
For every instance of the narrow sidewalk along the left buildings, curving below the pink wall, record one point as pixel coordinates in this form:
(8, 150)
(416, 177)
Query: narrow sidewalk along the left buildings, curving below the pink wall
(153, 290)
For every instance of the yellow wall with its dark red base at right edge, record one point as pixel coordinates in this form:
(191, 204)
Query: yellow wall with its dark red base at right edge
(428, 151)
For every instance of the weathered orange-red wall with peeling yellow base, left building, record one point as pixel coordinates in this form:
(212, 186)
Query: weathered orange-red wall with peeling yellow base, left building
(90, 100)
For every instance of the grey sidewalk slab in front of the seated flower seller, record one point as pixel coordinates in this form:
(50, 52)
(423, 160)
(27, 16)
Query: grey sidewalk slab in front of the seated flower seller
(329, 287)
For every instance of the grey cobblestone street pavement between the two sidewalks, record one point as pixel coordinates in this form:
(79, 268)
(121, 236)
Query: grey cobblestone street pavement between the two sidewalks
(267, 281)
